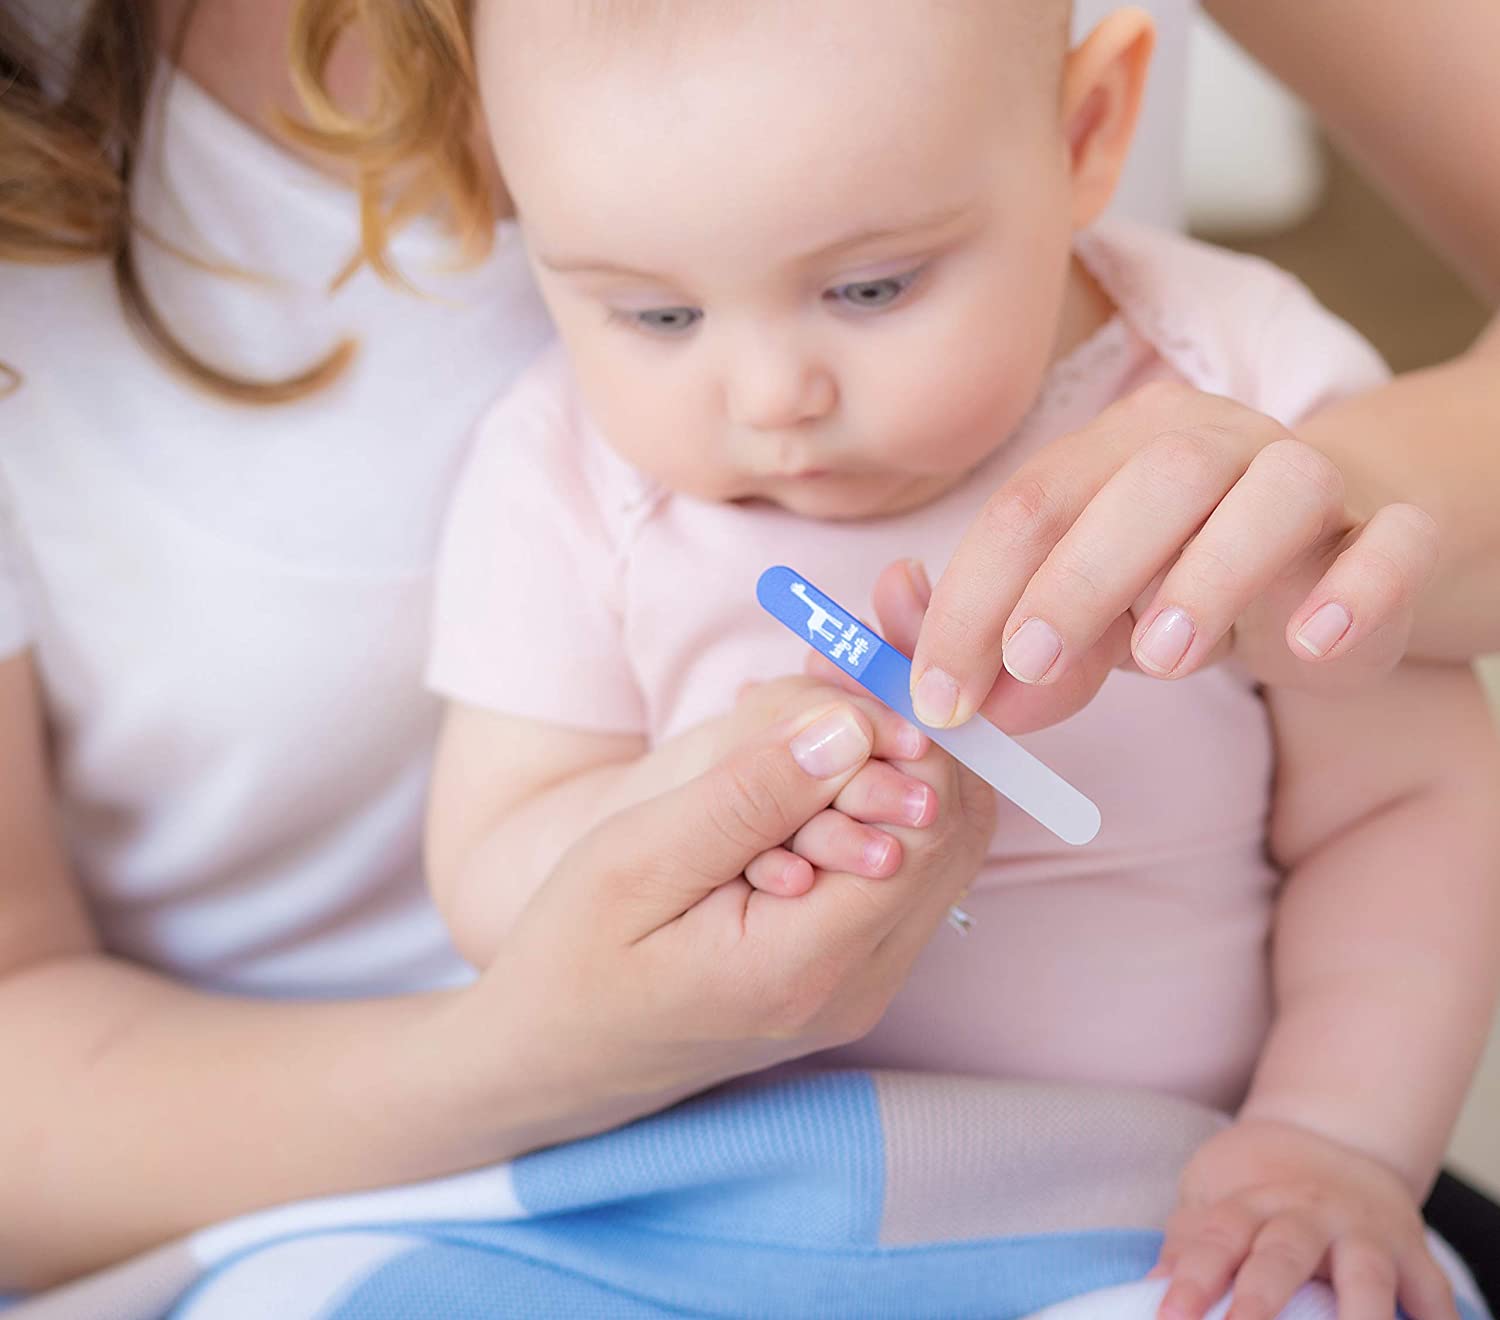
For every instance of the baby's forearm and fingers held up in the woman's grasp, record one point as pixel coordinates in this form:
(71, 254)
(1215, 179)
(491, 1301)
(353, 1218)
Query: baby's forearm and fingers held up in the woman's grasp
(512, 796)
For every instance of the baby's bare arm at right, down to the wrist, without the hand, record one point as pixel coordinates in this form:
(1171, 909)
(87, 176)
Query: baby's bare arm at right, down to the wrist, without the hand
(1387, 947)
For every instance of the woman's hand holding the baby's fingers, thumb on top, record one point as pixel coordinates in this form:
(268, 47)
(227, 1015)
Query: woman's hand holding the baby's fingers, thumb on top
(647, 968)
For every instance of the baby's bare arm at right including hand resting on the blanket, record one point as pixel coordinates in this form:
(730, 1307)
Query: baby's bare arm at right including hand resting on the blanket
(1385, 961)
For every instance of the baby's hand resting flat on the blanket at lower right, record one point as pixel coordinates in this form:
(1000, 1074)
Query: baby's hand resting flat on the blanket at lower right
(1268, 1207)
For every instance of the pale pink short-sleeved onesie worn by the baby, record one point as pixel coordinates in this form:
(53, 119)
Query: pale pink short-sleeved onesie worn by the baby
(574, 590)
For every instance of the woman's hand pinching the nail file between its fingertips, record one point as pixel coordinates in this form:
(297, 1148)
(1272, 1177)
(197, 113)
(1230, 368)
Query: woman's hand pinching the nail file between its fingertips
(1174, 529)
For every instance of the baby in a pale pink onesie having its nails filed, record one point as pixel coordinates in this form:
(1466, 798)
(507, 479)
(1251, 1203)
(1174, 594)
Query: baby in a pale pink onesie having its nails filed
(826, 274)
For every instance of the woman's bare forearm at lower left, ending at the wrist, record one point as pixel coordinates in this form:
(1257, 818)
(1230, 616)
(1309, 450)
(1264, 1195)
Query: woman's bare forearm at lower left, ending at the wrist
(136, 1111)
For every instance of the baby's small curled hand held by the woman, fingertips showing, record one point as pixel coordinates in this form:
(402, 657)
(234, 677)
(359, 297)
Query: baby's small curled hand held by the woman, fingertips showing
(847, 836)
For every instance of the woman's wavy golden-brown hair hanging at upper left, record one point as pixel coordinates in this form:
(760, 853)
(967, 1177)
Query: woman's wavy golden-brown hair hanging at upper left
(71, 128)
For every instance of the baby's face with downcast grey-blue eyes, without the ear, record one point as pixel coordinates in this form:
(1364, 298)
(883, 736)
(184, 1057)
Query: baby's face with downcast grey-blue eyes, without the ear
(800, 251)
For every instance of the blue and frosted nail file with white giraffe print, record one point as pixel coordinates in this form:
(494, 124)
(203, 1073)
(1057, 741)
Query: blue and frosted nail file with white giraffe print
(887, 674)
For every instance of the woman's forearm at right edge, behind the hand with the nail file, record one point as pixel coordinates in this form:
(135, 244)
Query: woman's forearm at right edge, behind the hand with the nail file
(1433, 439)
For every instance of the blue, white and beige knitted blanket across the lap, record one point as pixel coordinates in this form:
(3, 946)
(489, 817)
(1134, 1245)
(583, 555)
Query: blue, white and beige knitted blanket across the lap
(820, 1195)
